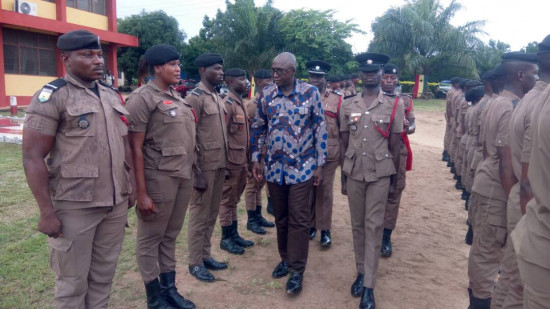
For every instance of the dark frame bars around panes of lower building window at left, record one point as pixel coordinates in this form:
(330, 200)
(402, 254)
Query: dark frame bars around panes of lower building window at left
(38, 47)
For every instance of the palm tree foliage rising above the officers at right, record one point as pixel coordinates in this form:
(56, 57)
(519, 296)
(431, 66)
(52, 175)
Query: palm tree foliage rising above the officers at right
(419, 38)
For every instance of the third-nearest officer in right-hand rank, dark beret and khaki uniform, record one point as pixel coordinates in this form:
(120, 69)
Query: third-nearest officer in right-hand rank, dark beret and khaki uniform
(495, 178)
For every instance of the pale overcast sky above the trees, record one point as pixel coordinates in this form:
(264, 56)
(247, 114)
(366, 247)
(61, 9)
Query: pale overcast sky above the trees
(514, 22)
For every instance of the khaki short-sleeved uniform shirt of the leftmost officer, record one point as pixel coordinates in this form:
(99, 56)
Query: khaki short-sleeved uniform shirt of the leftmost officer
(86, 163)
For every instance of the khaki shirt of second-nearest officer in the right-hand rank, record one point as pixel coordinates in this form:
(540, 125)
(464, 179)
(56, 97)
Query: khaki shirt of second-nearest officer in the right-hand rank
(520, 127)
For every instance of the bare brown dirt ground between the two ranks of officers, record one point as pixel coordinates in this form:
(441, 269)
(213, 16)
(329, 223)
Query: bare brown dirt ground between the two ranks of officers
(427, 270)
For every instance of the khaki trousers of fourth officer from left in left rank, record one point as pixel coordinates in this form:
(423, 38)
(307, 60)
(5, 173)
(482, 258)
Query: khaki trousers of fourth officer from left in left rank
(233, 188)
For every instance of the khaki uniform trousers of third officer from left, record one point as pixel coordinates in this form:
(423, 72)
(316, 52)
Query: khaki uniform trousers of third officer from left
(203, 213)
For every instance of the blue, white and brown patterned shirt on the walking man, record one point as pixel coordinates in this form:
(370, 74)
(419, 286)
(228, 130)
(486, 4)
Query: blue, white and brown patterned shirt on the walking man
(294, 130)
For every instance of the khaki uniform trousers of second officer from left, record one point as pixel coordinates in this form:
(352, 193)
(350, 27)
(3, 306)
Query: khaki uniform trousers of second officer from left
(157, 233)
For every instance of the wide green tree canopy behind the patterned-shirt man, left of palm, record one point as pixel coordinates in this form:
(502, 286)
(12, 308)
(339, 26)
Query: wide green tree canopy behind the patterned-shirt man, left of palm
(250, 37)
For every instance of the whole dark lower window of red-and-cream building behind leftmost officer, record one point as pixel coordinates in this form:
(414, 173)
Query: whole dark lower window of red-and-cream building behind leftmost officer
(29, 53)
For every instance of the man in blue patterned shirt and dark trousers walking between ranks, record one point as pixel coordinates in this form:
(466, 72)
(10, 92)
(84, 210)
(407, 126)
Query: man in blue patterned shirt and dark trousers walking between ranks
(290, 121)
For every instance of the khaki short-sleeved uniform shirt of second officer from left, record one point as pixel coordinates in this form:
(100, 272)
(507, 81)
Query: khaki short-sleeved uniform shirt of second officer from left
(169, 126)
